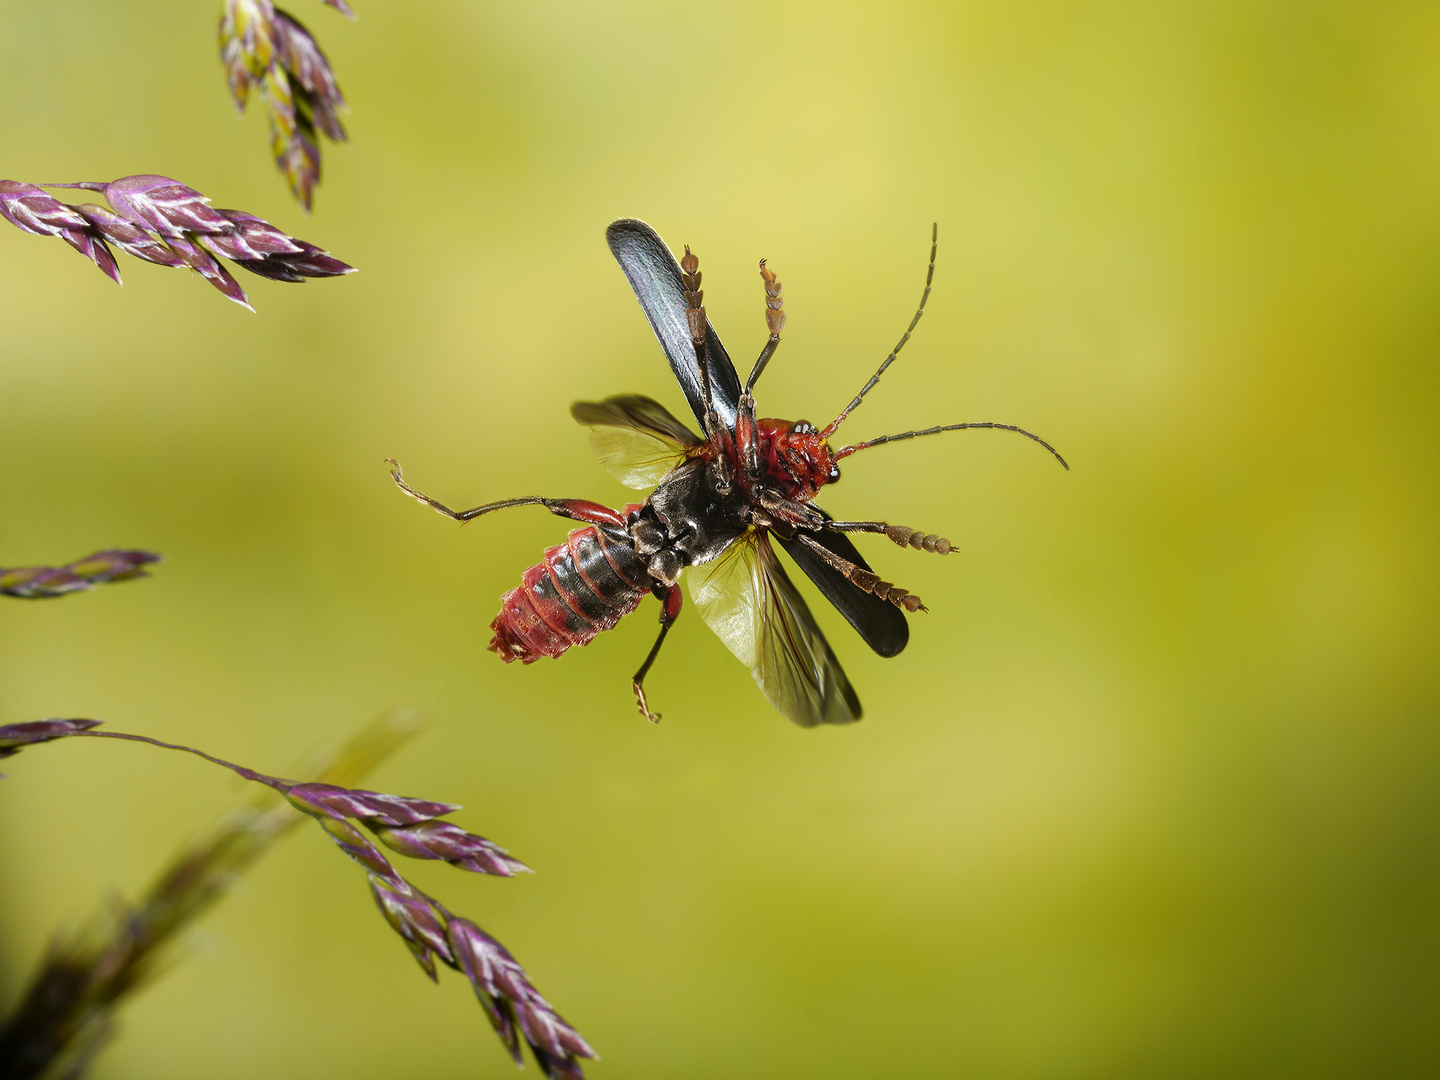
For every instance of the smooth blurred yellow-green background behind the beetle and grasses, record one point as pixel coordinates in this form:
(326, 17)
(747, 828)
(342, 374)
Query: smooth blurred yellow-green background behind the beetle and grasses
(1151, 793)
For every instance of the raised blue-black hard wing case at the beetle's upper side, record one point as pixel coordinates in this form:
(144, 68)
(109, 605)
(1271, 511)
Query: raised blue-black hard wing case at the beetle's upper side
(654, 276)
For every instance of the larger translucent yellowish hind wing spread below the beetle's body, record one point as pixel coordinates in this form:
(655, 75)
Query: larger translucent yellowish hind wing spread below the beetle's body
(748, 600)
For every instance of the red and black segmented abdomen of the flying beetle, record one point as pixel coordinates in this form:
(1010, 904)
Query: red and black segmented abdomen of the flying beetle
(581, 588)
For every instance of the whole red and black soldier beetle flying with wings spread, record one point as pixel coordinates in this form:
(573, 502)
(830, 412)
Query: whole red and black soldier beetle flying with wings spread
(718, 500)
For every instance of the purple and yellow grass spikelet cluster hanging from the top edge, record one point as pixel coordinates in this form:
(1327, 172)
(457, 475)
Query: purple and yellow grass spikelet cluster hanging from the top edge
(267, 48)
